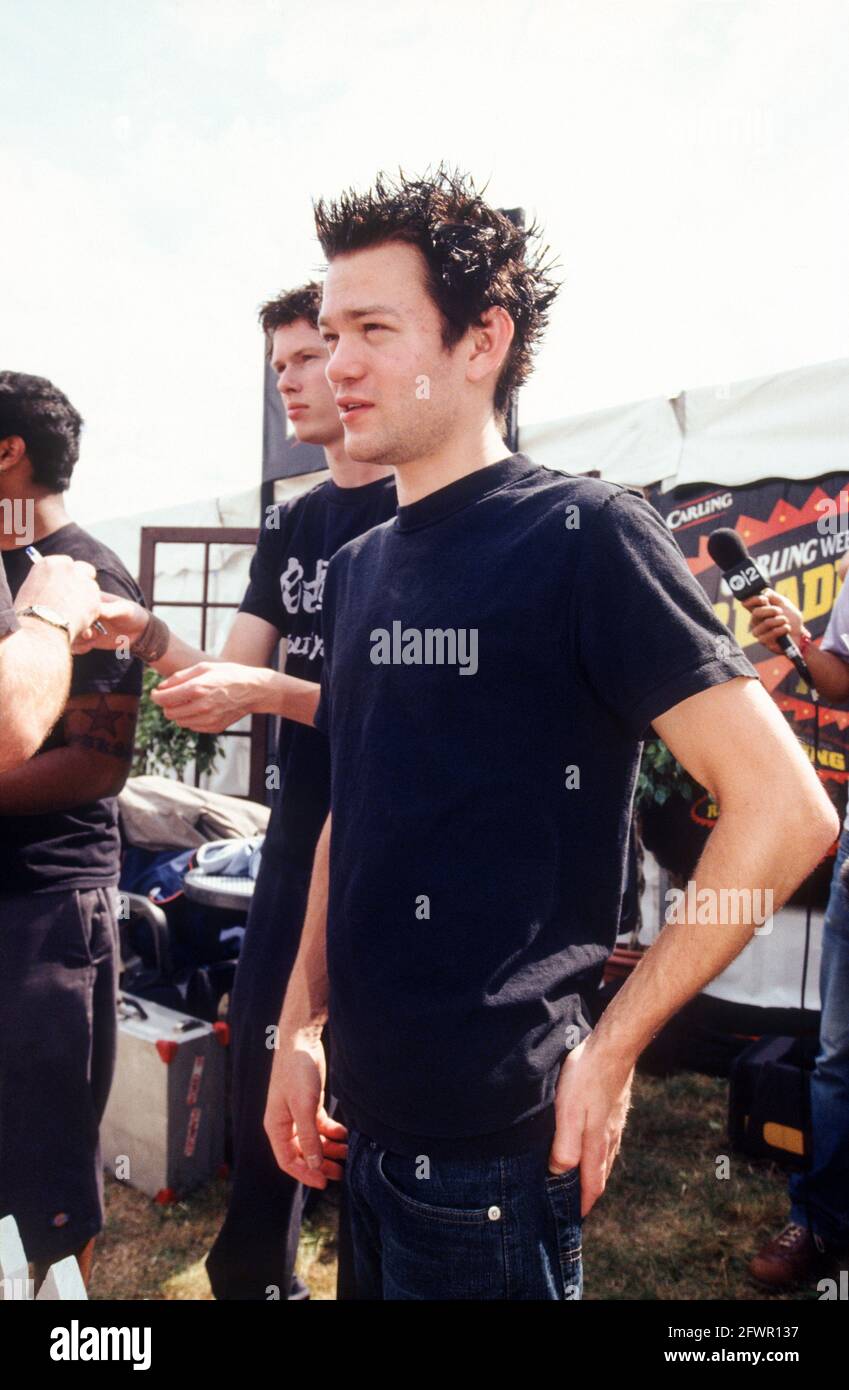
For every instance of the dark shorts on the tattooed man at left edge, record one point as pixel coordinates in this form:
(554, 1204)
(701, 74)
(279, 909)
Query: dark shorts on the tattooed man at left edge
(59, 972)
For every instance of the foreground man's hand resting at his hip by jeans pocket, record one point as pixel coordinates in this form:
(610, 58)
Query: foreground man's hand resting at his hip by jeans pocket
(591, 1107)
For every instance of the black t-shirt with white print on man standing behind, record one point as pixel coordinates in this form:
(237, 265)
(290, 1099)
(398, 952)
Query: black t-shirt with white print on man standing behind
(287, 587)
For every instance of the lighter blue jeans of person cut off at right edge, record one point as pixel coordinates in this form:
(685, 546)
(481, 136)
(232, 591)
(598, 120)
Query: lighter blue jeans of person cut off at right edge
(823, 1191)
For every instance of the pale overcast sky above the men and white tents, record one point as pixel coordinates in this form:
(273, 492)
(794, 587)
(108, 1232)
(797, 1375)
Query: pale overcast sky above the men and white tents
(687, 159)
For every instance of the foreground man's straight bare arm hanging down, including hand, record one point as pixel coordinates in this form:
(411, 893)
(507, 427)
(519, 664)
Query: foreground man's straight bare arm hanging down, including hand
(306, 1142)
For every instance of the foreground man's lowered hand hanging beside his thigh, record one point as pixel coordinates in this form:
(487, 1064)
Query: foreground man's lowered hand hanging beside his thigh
(306, 1142)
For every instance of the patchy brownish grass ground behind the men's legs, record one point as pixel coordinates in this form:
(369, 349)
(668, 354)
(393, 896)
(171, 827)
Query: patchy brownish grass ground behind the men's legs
(666, 1228)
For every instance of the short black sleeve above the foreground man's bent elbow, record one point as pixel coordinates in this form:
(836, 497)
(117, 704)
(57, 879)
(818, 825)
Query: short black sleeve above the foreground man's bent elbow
(648, 636)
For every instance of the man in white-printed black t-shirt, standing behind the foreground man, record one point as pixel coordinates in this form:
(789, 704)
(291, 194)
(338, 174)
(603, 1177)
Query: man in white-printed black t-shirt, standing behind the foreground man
(254, 1256)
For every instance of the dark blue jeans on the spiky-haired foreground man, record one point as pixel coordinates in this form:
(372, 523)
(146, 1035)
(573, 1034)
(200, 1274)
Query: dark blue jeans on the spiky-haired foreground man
(476, 1229)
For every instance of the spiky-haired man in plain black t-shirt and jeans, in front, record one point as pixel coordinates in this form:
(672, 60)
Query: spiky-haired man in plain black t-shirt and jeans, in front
(512, 635)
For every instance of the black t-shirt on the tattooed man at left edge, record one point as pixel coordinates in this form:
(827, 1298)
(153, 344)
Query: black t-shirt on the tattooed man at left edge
(79, 849)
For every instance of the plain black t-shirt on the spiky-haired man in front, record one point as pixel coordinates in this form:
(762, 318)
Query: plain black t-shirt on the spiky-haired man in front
(483, 803)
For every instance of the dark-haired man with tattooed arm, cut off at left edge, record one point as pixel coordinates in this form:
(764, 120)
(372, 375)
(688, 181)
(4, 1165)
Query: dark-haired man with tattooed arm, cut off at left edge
(59, 871)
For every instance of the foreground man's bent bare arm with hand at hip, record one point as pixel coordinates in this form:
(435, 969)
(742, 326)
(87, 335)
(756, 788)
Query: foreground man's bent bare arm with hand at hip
(775, 826)
